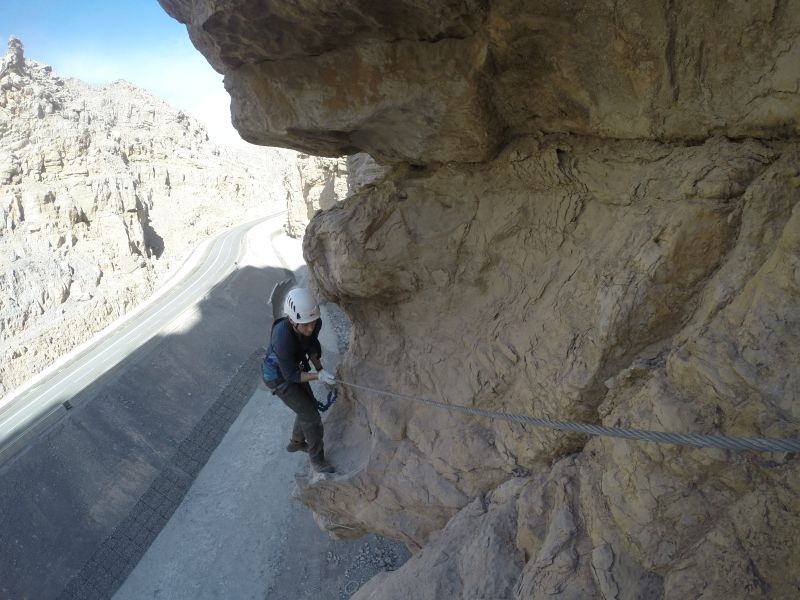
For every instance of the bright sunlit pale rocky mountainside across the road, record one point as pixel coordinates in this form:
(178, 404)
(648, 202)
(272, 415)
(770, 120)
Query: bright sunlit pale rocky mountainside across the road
(102, 192)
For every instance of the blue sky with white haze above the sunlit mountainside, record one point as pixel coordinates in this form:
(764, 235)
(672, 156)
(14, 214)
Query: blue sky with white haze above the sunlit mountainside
(102, 41)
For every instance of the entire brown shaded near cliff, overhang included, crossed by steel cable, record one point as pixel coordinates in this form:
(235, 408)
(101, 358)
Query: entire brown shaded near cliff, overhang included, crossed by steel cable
(592, 214)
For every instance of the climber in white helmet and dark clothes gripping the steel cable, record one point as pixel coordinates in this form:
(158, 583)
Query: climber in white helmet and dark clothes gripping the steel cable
(286, 371)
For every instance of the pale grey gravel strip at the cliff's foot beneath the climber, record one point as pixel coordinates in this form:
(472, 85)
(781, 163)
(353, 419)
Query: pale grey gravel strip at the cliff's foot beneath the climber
(238, 533)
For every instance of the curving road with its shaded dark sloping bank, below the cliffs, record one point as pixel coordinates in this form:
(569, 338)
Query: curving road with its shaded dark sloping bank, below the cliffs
(149, 398)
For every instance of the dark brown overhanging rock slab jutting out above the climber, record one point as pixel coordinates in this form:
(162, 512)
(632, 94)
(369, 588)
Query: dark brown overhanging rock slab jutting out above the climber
(454, 80)
